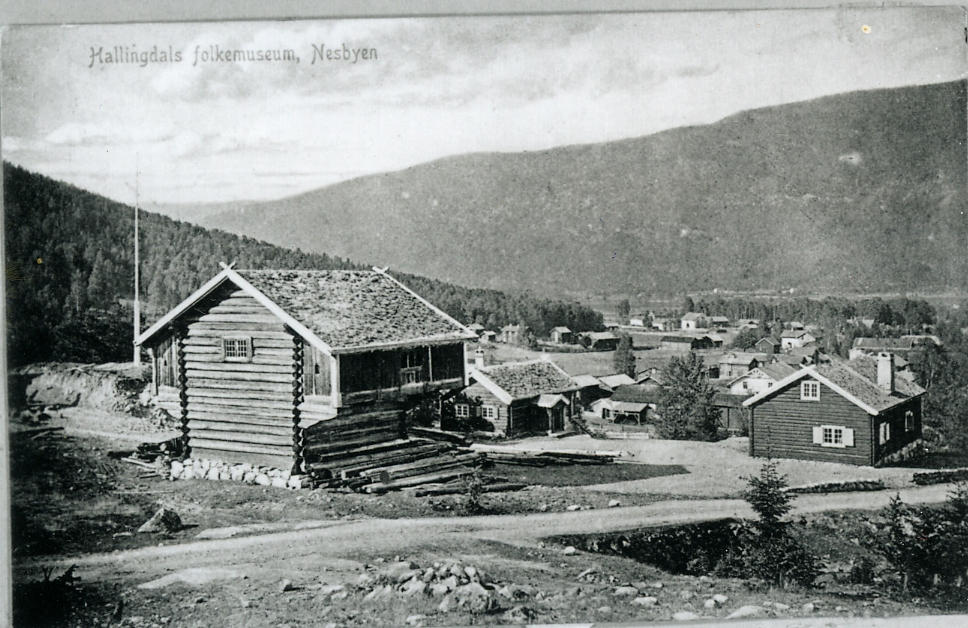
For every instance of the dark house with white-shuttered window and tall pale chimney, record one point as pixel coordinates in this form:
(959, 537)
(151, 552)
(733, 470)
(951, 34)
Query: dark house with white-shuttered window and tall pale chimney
(856, 412)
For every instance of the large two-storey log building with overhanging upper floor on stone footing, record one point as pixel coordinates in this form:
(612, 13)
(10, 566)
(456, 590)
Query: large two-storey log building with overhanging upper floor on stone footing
(272, 366)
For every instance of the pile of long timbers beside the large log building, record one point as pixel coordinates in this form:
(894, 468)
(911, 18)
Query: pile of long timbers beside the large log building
(389, 466)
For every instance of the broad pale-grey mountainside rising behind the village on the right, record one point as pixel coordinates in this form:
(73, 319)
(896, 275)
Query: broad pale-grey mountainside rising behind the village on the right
(857, 192)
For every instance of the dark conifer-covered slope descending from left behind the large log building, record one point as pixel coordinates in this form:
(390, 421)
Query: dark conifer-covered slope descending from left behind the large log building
(70, 261)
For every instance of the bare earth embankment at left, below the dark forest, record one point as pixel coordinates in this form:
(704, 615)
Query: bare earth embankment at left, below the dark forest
(105, 387)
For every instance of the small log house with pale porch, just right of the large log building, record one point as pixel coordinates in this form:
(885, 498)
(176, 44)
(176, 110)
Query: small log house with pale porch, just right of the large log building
(523, 397)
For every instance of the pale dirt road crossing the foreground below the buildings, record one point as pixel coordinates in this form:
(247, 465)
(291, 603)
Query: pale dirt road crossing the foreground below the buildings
(308, 548)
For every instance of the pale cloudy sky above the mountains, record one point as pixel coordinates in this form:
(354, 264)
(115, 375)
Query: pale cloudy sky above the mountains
(205, 131)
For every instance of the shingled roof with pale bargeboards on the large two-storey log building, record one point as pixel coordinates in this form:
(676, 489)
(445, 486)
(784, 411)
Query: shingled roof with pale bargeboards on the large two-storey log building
(344, 309)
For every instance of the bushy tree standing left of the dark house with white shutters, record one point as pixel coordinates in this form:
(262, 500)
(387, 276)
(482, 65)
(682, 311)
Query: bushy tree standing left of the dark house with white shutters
(685, 410)
